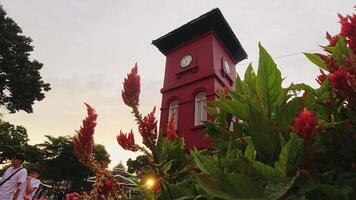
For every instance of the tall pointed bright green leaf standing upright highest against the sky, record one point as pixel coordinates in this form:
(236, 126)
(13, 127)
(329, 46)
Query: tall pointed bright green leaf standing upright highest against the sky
(269, 82)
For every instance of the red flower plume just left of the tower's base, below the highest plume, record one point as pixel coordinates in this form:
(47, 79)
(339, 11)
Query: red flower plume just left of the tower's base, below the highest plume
(148, 129)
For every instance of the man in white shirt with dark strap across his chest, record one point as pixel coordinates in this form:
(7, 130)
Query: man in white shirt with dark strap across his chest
(9, 188)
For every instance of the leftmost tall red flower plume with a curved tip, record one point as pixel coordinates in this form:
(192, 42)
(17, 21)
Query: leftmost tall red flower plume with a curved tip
(84, 141)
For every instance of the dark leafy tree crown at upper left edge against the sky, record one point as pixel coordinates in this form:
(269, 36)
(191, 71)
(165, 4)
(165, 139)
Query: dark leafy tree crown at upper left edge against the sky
(20, 81)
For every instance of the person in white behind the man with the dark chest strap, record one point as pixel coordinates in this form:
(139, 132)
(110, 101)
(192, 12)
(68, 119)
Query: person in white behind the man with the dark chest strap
(29, 187)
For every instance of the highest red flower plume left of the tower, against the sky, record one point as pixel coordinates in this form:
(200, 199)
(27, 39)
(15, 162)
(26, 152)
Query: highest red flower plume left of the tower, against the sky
(131, 92)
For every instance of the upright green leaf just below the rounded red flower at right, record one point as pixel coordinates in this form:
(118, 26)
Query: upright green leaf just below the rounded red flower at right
(290, 156)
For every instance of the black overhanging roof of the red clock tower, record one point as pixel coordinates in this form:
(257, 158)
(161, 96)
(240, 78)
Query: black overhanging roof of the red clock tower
(212, 20)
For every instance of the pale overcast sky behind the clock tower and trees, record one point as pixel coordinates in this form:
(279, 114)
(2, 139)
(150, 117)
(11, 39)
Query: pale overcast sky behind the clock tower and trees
(88, 46)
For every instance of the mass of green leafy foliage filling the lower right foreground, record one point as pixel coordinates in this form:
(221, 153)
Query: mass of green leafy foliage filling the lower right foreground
(270, 142)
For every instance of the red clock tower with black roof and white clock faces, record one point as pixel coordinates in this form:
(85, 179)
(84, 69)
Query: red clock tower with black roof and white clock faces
(200, 60)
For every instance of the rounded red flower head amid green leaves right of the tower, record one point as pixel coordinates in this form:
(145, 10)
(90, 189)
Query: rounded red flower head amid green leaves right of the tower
(305, 124)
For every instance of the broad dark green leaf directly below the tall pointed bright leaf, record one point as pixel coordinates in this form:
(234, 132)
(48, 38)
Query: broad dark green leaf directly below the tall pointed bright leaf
(265, 140)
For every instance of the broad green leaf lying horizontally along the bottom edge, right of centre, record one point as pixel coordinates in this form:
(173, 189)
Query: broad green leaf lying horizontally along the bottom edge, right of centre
(230, 186)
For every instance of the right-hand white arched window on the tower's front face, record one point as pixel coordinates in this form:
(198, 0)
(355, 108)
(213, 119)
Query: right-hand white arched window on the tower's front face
(200, 109)
